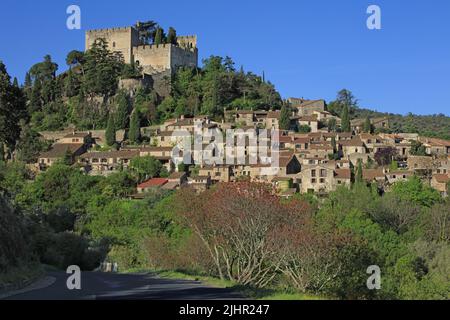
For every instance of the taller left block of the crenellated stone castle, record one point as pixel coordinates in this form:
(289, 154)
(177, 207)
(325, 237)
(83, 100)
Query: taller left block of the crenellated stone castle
(119, 40)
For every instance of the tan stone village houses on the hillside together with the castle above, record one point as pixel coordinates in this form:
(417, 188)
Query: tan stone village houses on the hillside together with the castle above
(315, 160)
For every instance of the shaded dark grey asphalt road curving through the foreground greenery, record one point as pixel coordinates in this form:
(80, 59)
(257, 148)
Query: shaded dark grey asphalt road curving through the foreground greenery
(108, 286)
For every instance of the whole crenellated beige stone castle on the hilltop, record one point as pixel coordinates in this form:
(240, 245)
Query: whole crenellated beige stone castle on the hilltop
(152, 58)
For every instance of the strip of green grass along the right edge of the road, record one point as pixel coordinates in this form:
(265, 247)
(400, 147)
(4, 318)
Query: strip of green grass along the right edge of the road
(246, 291)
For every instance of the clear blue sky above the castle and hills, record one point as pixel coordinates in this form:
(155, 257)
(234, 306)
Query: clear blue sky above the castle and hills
(307, 48)
